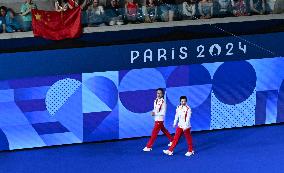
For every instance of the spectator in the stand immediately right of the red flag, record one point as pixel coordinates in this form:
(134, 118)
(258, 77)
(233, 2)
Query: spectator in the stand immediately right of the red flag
(96, 14)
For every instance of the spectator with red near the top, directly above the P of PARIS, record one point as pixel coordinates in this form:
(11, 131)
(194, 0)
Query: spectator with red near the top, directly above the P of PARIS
(131, 11)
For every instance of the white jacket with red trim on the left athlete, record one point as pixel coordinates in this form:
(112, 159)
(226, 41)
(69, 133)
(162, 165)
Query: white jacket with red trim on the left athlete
(160, 107)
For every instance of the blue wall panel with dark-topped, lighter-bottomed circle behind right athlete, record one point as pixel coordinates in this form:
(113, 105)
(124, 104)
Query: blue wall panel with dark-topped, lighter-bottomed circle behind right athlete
(191, 81)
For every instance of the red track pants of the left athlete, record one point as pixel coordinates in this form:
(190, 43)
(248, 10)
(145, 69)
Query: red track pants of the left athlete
(159, 125)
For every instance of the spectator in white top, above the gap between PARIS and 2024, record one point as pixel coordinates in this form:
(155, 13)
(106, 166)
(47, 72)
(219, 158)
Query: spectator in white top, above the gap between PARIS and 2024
(189, 9)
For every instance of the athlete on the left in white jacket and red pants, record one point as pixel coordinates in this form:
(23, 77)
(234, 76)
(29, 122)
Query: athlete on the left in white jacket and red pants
(159, 114)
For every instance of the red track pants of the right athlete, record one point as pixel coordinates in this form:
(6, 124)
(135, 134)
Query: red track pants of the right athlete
(187, 137)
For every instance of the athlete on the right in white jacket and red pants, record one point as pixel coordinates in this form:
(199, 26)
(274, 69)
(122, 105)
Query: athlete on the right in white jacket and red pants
(183, 115)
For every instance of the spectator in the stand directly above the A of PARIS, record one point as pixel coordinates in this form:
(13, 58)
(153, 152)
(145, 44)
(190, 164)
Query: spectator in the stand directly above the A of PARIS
(150, 11)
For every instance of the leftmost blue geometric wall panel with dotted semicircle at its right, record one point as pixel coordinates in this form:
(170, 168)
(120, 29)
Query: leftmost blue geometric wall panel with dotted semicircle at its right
(25, 121)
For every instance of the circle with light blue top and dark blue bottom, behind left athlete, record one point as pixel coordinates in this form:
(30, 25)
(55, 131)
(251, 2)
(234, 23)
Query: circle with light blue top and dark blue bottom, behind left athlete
(139, 85)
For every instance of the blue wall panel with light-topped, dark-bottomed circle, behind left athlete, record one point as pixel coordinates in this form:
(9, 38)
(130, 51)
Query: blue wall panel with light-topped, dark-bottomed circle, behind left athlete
(137, 91)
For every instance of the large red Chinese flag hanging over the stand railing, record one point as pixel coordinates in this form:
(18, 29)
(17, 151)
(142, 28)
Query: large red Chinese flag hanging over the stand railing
(55, 25)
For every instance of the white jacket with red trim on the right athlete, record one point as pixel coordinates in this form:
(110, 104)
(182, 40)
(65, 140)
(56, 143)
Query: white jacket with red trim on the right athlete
(183, 115)
